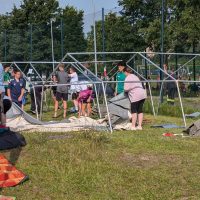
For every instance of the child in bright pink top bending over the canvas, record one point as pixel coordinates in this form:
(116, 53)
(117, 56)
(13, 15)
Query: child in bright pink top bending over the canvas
(85, 98)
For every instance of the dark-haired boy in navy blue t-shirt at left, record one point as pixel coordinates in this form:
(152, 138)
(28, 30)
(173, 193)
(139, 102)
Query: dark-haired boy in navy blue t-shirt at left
(16, 88)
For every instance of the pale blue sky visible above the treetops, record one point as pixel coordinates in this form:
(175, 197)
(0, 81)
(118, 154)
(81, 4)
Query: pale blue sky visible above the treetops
(86, 5)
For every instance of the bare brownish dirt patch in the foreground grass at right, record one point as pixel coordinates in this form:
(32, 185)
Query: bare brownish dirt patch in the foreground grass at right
(147, 160)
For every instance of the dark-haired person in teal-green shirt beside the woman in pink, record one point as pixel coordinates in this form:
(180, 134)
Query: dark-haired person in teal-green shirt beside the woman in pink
(120, 77)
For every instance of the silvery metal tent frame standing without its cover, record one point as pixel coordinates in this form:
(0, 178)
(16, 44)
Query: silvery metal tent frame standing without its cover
(79, 65)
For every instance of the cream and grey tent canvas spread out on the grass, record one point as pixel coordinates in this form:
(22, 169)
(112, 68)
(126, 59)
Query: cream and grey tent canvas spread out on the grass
(19, 120)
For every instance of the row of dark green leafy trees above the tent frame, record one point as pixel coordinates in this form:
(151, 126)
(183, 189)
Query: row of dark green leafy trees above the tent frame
(26, 31)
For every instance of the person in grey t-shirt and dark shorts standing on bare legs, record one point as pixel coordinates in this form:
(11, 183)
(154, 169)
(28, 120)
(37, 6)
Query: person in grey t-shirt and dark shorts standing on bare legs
(62, 90)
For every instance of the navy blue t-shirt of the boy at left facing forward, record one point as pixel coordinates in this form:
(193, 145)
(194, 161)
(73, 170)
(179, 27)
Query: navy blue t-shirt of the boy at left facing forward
(16, 88)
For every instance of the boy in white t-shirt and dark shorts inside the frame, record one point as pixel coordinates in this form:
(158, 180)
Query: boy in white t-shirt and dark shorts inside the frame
(74, 88)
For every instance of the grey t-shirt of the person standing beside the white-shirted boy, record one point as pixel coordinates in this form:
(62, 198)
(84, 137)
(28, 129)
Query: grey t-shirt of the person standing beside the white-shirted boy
(62, 78)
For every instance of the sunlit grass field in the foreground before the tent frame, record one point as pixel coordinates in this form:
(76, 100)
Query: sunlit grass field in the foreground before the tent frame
(122, 165)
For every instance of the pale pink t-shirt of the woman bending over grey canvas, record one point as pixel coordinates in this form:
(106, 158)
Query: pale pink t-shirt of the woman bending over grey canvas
(135, 90)
